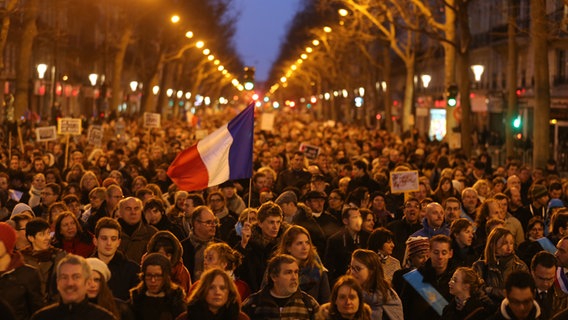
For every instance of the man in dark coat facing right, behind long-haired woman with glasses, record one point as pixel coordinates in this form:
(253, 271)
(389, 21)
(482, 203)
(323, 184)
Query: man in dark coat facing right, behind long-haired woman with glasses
(341, 245)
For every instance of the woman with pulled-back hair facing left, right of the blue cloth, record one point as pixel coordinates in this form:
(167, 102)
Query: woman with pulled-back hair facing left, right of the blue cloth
(469, 301)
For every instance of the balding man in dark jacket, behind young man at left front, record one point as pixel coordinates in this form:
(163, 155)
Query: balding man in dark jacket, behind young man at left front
(135, 232)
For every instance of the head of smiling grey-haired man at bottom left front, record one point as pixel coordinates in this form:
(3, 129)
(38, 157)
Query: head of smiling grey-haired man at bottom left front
(73, 274)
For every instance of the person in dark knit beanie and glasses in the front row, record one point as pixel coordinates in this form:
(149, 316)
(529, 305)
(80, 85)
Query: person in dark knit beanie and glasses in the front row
(156, 296)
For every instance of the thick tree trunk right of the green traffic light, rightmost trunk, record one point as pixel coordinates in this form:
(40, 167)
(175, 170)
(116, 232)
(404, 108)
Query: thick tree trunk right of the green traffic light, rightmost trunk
(539, 39)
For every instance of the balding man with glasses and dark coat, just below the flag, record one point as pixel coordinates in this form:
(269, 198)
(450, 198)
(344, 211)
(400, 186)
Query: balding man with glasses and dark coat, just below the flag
(203, 226)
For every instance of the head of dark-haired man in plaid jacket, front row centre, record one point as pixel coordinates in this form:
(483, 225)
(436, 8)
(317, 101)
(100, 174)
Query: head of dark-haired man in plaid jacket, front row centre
(283, 275)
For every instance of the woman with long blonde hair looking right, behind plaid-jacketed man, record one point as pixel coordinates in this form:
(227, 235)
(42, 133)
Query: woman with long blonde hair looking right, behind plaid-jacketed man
(296, 241)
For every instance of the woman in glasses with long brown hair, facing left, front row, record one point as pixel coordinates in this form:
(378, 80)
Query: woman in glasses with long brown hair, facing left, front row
(367, 269)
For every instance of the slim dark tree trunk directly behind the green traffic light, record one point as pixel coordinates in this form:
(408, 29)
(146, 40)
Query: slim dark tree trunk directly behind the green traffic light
(511, 79)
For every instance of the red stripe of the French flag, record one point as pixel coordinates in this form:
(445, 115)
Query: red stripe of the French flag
(188, 171)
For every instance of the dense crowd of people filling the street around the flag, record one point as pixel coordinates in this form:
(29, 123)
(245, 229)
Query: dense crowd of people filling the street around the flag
(101, 232)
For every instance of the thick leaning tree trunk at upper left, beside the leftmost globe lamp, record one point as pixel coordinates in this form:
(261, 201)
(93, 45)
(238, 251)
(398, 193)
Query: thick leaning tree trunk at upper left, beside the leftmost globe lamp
(23, 66)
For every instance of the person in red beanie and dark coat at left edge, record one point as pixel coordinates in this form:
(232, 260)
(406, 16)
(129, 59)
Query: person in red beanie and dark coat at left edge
(19, 283)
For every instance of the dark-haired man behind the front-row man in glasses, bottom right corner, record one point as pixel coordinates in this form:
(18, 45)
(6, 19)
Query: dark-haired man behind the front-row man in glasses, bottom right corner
(550, 299)
